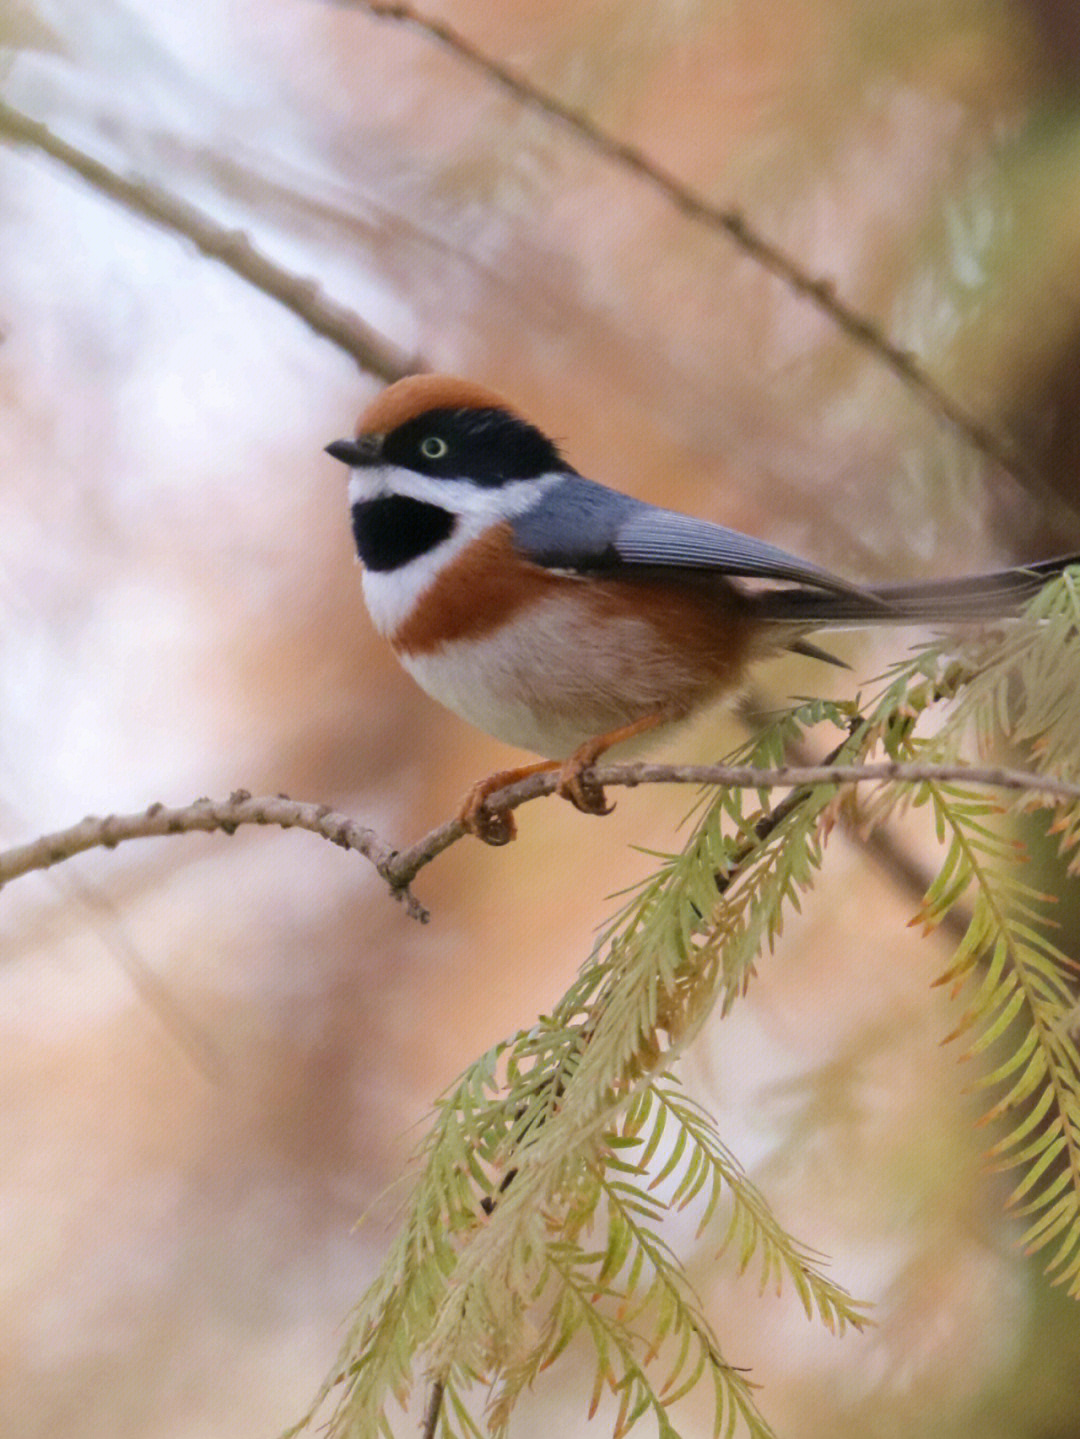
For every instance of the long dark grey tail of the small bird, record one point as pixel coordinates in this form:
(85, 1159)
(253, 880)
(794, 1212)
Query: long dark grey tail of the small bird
(933, 602)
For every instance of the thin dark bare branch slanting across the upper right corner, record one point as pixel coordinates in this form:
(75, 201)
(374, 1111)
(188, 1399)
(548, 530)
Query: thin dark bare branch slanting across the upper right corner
(820, 291)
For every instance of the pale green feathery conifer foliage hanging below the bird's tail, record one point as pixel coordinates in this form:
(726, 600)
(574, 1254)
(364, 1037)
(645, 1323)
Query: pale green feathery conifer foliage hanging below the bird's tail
(552, 1166)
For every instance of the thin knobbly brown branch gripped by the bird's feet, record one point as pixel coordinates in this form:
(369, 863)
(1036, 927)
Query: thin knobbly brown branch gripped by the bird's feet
(399, 868)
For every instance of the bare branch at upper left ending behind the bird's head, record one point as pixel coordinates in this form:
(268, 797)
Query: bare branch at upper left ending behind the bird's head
(304, 299)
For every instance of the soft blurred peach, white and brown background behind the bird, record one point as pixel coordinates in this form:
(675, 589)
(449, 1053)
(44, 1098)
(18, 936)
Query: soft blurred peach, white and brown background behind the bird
(216, 1053)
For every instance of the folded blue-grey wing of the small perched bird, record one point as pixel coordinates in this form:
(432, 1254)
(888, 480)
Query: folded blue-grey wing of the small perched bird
(582, 526)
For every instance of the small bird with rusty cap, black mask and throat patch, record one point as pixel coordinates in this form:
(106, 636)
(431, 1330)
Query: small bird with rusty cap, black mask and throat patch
(566, 618)
